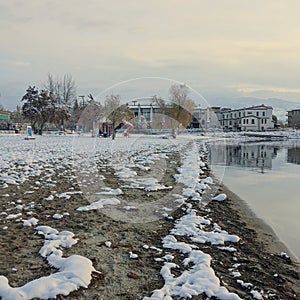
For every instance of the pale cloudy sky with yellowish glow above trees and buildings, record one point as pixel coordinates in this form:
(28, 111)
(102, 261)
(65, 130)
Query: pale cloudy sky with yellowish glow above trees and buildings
(220, 48)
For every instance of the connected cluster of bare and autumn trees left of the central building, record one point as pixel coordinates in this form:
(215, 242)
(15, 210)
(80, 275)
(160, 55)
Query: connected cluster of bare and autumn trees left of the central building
(57, 106)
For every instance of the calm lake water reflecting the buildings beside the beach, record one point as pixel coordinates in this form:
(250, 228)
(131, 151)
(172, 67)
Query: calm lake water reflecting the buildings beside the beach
(267, 176)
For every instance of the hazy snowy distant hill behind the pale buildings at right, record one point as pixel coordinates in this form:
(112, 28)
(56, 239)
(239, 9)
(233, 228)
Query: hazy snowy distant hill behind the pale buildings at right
(280, 106)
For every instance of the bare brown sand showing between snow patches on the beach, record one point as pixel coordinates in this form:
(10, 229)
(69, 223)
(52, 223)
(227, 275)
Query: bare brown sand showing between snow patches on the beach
(109, 243)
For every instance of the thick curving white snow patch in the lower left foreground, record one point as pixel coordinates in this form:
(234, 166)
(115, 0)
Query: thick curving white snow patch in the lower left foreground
(74, 271)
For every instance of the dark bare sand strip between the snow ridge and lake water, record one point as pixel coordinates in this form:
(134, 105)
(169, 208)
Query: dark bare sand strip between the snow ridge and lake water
(259, 246)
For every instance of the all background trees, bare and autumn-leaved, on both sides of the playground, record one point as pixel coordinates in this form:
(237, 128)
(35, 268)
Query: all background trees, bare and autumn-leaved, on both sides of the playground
(57, 106)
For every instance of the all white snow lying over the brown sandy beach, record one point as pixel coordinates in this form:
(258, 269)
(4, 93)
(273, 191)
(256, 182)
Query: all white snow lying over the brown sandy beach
(134, 165)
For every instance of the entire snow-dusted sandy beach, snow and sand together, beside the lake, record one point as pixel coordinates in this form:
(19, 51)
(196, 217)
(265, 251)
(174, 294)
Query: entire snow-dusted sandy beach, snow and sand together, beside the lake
(128, 213)
